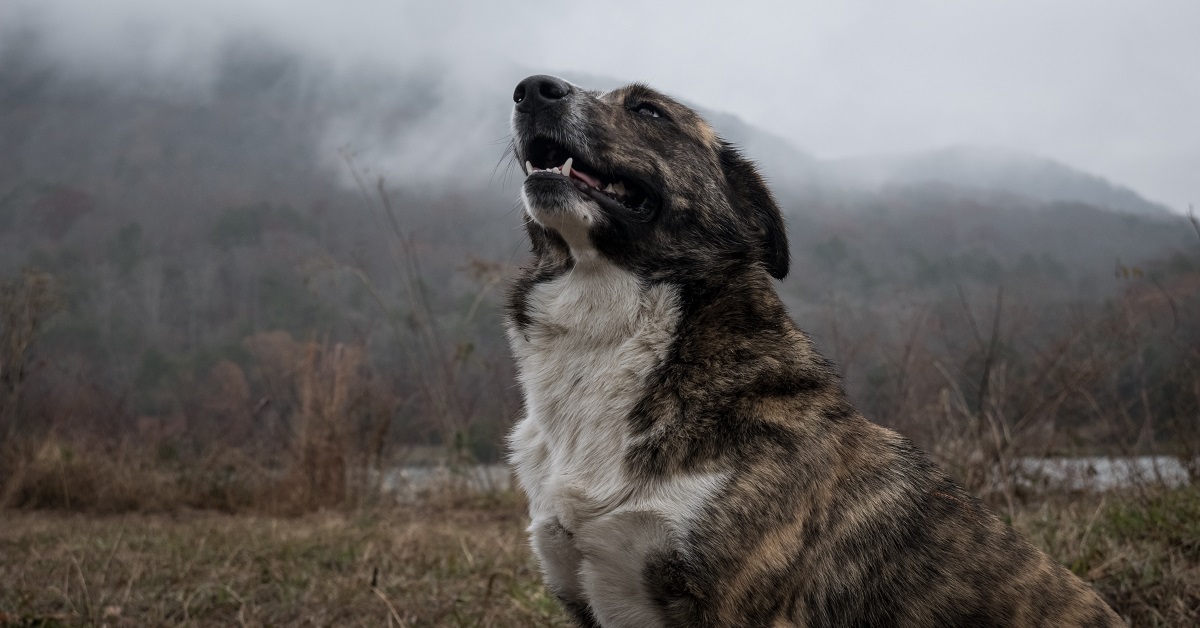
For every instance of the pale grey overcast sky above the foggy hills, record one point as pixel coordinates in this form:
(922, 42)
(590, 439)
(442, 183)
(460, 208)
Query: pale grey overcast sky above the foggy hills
(1108, 87)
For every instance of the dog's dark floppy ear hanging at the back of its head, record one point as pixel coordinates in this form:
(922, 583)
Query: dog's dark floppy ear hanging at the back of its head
(749, 195)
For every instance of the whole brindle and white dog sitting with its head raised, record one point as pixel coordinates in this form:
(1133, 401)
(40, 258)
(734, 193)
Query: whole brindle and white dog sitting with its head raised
(689, 458)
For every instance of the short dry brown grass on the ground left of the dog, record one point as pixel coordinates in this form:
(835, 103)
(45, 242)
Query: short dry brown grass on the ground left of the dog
(460, 565)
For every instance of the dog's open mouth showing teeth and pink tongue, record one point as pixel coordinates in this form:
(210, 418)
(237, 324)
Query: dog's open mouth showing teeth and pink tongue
(614, 192)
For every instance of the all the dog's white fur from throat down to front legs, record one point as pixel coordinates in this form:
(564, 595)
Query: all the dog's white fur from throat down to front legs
(596, 338)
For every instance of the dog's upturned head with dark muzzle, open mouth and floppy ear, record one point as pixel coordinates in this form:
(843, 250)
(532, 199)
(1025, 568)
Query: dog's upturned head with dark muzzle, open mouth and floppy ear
(641, 181)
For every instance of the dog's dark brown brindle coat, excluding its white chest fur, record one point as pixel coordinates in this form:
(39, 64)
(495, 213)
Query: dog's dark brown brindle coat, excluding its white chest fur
(825, 518)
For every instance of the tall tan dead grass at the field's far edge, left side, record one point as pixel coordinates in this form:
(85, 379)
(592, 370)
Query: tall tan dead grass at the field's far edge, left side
(316, 446)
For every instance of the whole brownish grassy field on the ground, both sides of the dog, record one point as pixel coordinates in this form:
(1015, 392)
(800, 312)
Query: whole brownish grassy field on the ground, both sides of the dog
(465, 564)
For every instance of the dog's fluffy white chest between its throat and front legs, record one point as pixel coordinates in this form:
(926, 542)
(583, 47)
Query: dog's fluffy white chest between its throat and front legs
(596, 338)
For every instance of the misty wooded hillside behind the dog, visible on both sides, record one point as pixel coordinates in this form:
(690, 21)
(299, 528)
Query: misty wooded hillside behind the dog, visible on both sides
(187, 265)
